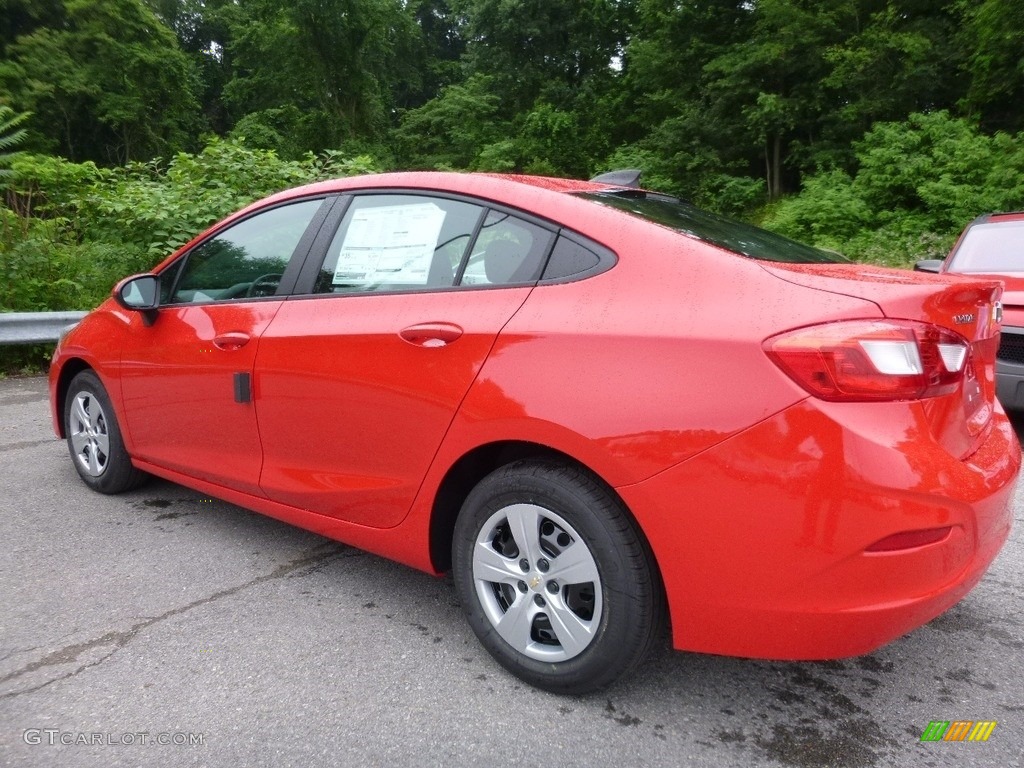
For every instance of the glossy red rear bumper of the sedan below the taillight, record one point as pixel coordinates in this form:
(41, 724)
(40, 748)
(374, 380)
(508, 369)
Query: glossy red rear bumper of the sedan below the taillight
(762, 542)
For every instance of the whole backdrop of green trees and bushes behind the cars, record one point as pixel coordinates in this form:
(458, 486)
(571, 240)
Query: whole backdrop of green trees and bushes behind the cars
(874, 127)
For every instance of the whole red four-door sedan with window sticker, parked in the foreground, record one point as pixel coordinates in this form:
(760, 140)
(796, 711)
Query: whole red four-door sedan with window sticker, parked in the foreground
(602, 408)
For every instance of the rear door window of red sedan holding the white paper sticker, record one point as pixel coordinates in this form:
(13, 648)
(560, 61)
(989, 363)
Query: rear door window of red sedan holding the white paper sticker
(399, 243)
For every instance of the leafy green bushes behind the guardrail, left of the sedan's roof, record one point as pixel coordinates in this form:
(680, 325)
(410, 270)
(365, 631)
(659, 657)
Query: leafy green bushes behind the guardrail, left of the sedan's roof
(72, 231)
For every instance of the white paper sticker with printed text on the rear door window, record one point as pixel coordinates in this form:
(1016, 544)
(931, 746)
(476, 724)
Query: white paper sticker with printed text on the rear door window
(393, 244)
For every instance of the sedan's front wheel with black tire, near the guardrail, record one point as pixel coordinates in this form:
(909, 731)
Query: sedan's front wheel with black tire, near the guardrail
(95, 438)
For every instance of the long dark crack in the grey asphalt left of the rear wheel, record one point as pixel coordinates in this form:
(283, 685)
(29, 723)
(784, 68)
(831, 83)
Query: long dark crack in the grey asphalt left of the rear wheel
(120, 639)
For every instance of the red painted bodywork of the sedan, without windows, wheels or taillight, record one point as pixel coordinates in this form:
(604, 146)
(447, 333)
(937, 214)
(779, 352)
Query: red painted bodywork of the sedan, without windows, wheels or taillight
(771, 514)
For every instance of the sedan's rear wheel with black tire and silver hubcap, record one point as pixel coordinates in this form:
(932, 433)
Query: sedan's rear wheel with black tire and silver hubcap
(565, 637)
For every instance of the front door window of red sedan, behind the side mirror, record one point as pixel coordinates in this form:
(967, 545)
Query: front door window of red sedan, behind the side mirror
(246, 261)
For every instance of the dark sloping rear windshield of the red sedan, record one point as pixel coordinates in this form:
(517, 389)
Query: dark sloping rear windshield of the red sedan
(733, 236)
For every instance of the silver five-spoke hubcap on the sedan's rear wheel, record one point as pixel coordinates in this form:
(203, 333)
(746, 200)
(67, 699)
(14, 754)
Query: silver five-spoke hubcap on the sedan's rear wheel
(538, 583)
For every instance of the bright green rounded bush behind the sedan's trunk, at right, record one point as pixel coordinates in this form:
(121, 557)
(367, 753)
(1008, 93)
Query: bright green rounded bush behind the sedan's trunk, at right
(917, 186)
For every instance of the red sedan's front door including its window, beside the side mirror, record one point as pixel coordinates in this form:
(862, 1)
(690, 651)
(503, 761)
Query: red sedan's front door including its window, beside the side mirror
(187, 382)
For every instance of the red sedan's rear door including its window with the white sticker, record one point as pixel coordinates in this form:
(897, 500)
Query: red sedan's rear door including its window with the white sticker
(360, 379)
